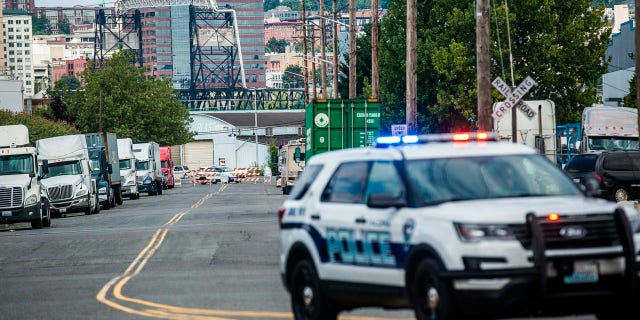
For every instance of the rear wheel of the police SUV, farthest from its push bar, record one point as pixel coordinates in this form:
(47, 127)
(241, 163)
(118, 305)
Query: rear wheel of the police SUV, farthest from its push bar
(307, 302)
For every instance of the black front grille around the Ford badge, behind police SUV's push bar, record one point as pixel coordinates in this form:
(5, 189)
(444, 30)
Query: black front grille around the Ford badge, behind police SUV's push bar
(600, 229)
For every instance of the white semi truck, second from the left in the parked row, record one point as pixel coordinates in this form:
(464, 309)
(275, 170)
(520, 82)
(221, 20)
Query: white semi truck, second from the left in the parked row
(67, 183)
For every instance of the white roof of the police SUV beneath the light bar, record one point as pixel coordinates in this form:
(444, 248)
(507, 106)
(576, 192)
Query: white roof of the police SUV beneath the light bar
(425, 151)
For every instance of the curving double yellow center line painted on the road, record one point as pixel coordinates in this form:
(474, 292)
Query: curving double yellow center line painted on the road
(151, 309)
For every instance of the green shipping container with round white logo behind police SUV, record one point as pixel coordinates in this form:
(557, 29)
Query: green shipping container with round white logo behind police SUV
(334, 124)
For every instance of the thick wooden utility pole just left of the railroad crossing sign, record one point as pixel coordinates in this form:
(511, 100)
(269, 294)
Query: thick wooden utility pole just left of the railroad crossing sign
(483, 65)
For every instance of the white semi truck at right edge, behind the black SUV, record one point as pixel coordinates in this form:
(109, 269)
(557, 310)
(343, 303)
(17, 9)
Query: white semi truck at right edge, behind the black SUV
(609, 128)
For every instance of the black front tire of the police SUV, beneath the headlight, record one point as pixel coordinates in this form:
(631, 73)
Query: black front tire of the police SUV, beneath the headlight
(424, 279)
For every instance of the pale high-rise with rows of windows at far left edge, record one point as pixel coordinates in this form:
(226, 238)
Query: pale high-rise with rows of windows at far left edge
(18, 30)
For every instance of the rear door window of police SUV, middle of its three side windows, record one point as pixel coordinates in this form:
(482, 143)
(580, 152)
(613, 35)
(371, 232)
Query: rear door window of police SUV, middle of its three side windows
(347, 183)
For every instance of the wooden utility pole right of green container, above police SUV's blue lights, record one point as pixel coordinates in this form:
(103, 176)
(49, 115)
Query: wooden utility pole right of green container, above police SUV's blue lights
(412, 71)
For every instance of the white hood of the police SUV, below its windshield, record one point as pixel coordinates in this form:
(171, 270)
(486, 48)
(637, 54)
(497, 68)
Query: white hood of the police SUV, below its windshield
(514, 210)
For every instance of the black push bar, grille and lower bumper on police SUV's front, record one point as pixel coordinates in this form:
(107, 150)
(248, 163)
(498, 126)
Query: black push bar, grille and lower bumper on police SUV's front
(586, 281)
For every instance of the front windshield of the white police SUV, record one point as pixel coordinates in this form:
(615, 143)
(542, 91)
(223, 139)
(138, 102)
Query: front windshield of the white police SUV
(467, 178)
